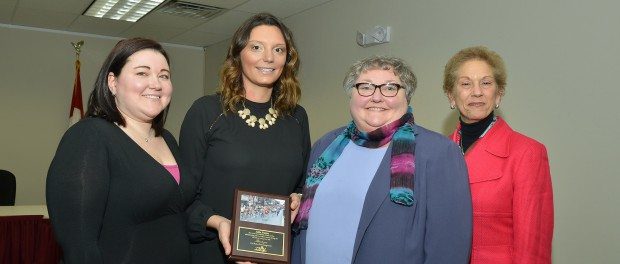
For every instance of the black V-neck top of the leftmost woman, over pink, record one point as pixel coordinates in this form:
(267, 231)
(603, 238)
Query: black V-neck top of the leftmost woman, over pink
(111, 202)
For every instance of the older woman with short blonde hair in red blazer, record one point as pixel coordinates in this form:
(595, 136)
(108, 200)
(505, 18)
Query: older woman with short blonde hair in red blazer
(508, 172)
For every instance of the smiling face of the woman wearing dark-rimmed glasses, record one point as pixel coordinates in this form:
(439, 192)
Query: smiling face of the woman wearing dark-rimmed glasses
(375, 111)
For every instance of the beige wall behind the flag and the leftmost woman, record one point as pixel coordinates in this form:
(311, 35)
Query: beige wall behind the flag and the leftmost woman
(36, 83)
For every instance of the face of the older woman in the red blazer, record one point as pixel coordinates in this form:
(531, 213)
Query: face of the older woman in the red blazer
(475, 93)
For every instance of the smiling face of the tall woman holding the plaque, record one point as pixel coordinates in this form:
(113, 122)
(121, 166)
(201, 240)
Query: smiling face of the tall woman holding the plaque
(263, 58)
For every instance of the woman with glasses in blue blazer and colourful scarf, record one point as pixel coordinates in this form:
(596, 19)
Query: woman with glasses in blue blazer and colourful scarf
(383, 189)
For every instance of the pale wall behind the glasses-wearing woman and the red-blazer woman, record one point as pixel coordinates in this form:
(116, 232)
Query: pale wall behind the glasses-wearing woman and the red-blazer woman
(562, 60)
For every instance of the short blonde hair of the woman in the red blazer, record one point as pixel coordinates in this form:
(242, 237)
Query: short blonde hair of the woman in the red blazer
(450, 73)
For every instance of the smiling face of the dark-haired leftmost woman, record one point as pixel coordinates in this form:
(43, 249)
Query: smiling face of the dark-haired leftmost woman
(143, 88)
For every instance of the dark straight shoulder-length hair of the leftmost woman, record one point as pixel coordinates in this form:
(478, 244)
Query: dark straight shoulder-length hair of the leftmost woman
(101, 102)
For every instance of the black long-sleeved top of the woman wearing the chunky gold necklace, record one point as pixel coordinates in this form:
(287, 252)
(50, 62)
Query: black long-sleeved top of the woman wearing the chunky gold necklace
(225, 153)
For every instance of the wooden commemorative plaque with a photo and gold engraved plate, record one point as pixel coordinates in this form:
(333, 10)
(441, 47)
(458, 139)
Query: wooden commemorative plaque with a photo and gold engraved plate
(261, 228)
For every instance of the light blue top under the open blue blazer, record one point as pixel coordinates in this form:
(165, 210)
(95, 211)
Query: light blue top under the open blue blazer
(338, 203)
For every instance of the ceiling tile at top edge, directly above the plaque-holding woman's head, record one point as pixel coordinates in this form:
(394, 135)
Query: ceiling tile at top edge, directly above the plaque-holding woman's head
(279, 8)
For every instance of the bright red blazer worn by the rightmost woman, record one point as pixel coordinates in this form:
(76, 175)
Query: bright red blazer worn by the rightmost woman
(512, 197)
